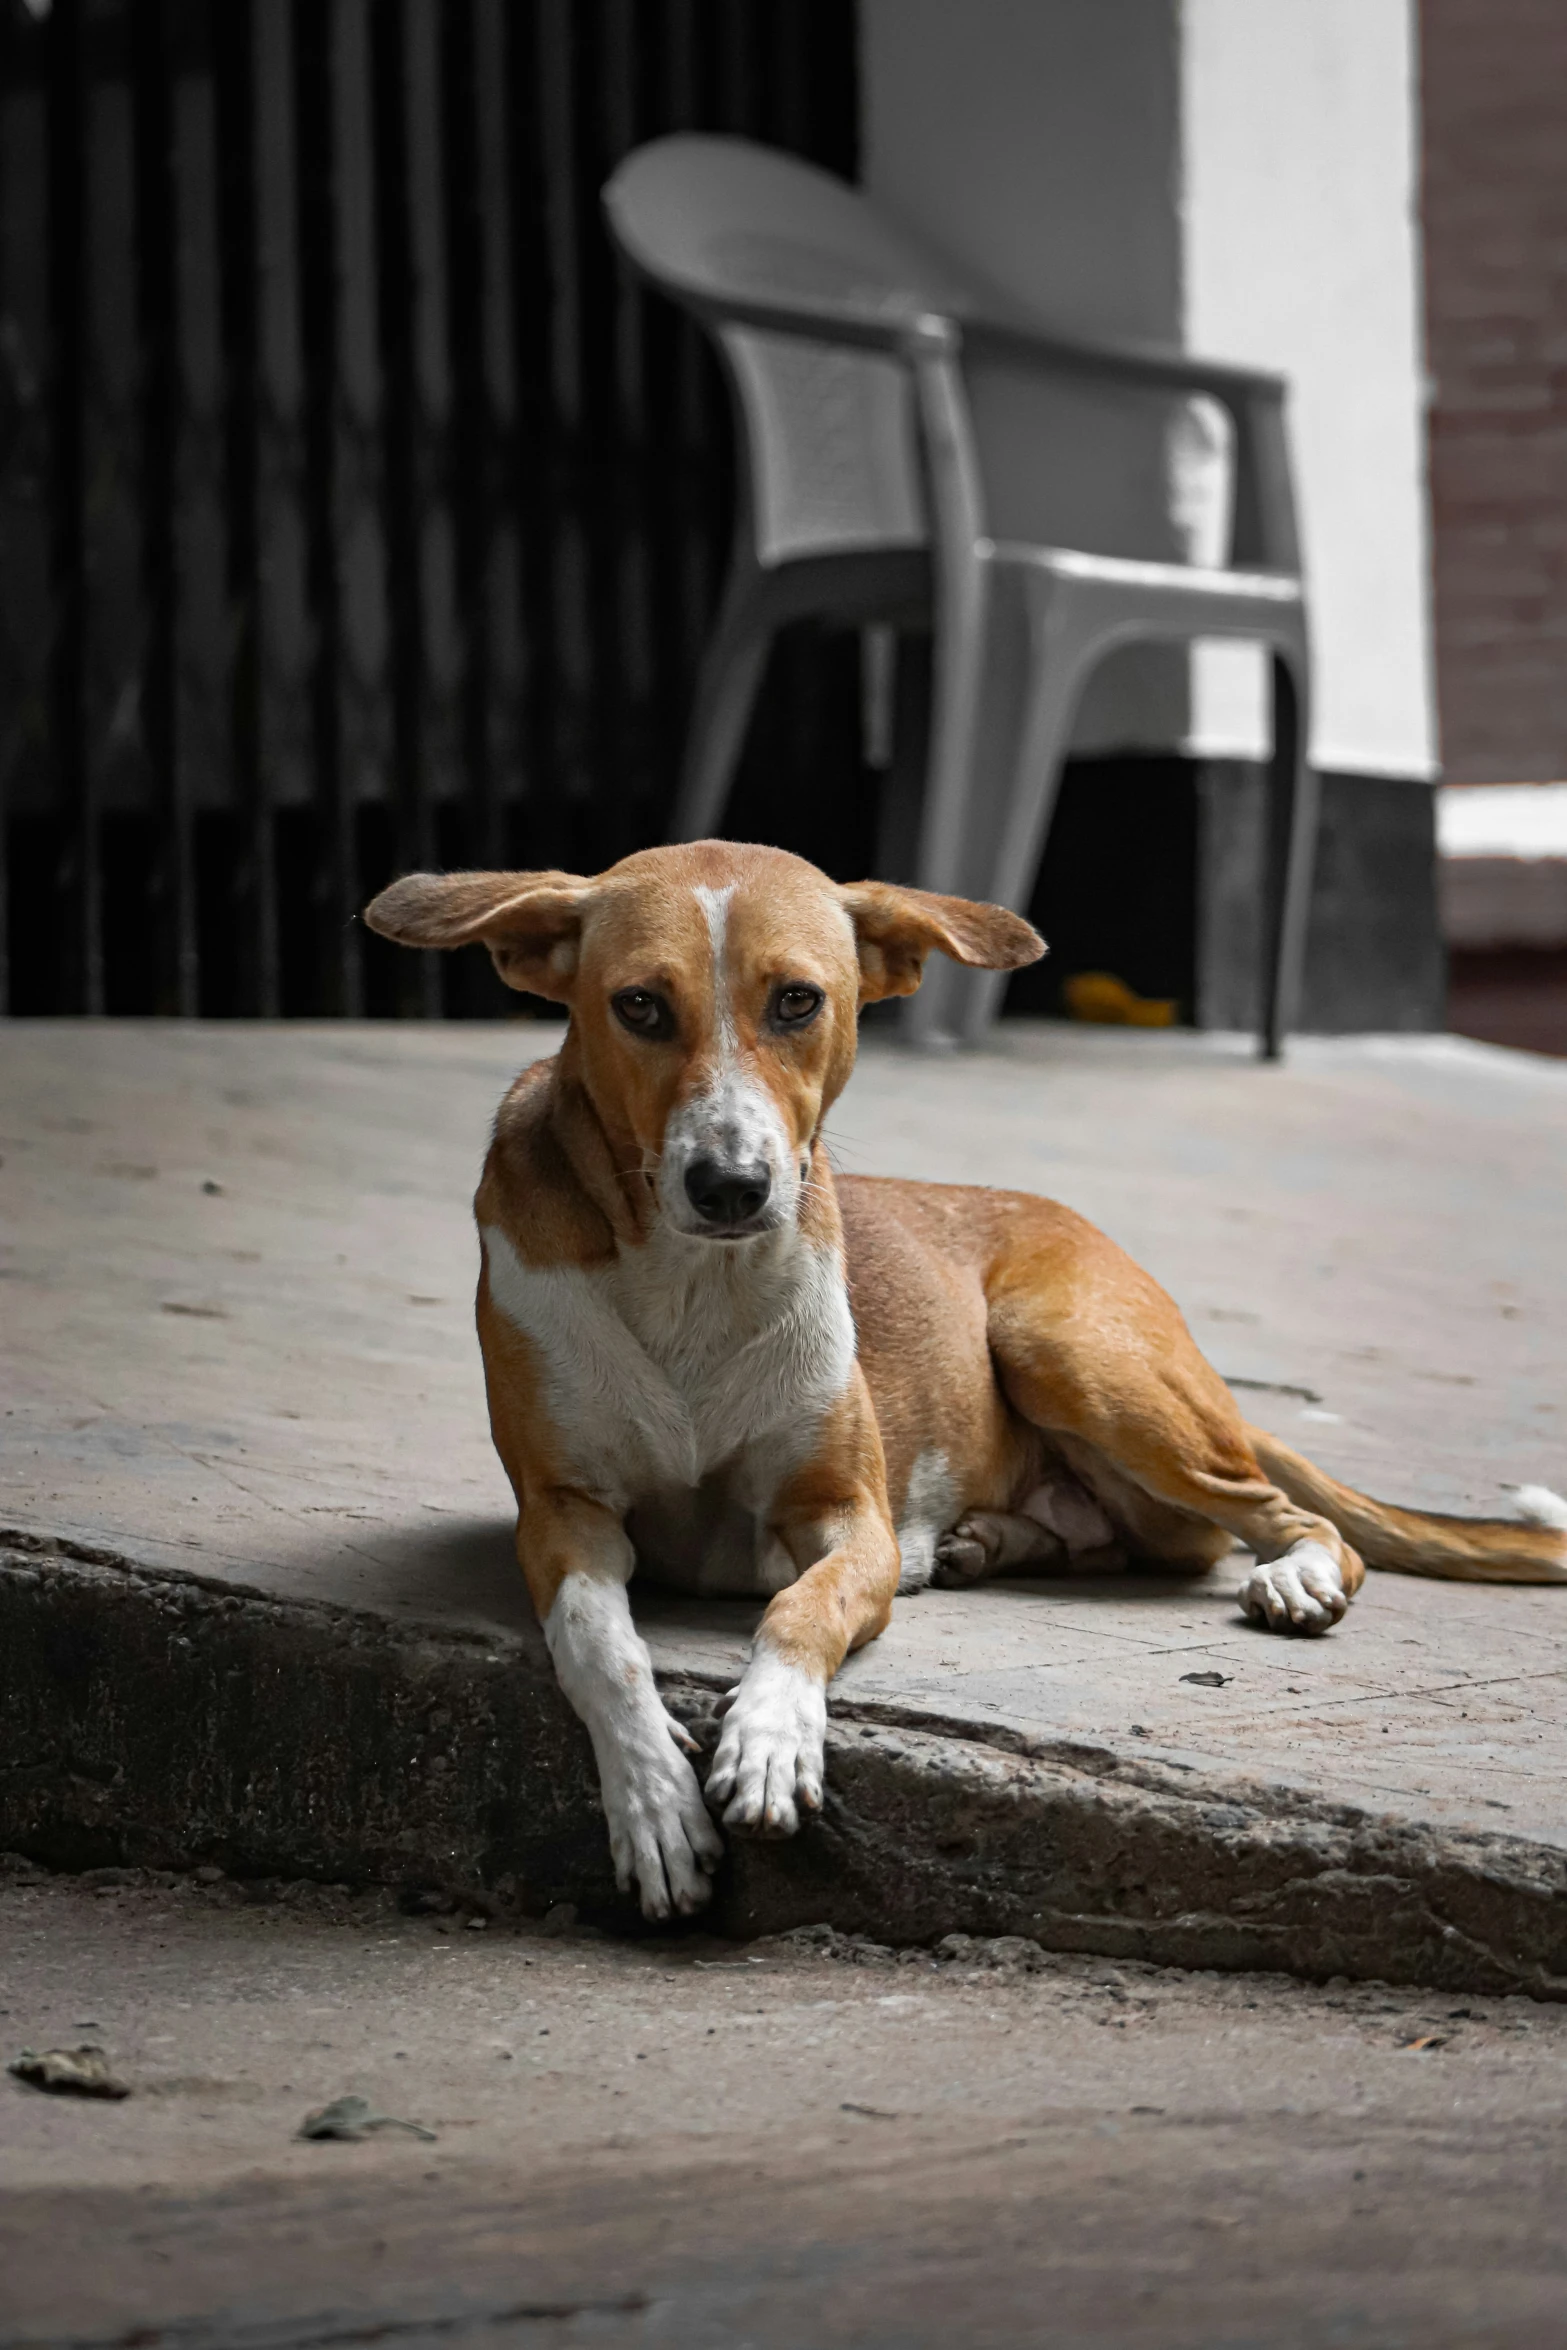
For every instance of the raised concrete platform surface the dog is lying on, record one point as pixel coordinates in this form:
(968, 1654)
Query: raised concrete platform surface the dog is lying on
(236, 1338)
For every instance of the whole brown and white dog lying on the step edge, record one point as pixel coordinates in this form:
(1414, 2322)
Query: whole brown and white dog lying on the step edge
(713, 1359)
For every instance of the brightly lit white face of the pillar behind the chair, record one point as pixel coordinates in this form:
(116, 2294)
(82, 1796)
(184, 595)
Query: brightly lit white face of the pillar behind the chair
(1303, 253)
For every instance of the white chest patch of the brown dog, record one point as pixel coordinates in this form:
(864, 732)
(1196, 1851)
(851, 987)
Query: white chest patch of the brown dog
(682, 1357)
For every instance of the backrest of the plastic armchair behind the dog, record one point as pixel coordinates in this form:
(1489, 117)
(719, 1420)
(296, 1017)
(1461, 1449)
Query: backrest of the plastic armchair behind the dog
(830, 441)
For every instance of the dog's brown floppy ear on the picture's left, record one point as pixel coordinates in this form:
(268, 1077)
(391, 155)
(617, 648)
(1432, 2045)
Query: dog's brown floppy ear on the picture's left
(530, 922)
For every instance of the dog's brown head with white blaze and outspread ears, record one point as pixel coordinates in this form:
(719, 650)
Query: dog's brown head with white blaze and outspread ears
(713, 1000)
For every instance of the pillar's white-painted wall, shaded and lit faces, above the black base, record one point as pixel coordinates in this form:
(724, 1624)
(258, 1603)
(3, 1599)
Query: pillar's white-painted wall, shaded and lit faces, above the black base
(1237, 177)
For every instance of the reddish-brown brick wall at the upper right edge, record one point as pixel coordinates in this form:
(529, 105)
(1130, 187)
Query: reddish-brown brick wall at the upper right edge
(1495, 222)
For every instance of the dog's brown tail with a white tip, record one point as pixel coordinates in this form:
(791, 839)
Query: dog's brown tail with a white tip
(1526, 1550)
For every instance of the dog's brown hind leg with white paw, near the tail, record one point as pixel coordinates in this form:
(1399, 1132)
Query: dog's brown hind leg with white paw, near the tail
(1094, 1352)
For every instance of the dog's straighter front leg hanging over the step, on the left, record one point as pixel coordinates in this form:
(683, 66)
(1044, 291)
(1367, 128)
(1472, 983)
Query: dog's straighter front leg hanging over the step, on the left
(579, 1562)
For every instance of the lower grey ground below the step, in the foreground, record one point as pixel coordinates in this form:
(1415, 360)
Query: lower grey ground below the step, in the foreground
(697, 2144)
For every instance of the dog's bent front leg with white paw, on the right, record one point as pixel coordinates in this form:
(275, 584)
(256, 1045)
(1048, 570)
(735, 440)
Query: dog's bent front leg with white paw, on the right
(772, 1750)
